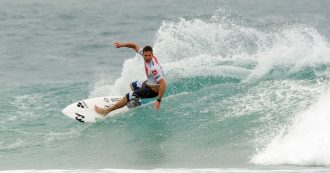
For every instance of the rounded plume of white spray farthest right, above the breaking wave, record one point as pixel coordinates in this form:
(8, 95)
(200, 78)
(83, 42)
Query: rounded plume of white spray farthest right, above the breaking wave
(291, 49)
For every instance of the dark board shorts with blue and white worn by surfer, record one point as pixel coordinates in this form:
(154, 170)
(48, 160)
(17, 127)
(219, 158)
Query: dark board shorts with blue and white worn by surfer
(140, 90)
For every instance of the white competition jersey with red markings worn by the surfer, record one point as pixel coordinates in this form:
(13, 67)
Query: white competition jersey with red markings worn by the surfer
(153, 69)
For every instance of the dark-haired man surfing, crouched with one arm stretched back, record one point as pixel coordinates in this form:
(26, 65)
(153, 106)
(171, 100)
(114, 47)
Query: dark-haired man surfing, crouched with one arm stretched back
(154, 86)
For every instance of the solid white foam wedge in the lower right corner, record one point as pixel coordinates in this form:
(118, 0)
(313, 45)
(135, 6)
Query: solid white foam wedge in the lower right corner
(306, 142)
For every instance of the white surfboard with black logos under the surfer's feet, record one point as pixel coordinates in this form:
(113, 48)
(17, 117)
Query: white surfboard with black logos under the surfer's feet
(84, 110)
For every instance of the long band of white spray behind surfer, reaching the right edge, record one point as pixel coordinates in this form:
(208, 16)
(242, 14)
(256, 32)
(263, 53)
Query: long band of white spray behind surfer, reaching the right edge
(193, 48)
